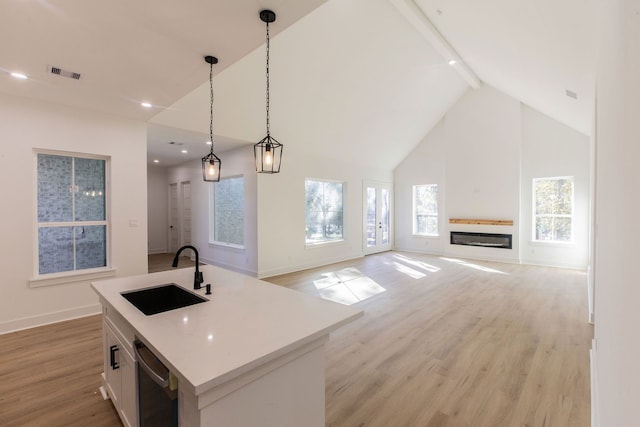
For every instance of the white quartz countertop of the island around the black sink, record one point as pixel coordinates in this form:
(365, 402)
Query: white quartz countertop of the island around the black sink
(245, 323)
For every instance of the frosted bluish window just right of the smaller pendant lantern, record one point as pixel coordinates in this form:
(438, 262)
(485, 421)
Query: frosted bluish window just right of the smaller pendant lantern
(228, 211)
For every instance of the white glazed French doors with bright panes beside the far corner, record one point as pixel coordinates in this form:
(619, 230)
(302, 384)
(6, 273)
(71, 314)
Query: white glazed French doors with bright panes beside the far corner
(378, 233)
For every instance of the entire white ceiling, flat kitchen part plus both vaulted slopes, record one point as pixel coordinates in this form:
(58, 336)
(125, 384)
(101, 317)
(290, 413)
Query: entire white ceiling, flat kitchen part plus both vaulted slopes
(360, 75)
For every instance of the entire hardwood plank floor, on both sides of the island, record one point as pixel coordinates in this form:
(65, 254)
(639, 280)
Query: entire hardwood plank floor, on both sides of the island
(442, 343)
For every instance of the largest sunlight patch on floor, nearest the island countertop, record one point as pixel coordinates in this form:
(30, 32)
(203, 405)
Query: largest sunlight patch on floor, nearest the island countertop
(347, 286)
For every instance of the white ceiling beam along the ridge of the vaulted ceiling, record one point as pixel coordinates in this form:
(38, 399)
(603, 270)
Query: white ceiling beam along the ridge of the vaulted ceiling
(416, 16)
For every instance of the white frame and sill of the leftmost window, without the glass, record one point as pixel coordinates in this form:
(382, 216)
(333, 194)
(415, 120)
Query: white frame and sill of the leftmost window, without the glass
(47, 279)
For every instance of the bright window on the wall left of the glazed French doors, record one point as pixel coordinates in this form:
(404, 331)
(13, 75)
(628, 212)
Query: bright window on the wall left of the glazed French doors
(323, 205)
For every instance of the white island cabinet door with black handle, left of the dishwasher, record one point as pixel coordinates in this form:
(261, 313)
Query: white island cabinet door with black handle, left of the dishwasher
(120, 369)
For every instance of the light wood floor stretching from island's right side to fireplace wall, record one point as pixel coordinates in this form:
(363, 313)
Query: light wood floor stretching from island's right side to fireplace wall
(458, 343)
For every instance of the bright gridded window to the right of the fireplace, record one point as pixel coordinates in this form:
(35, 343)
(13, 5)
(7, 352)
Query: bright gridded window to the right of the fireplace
(553, 209)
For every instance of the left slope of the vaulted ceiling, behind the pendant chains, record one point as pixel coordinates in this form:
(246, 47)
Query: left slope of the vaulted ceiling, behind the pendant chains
(351, 78)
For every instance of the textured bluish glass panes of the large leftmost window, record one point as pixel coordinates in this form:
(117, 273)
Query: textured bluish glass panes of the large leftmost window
(71, 213)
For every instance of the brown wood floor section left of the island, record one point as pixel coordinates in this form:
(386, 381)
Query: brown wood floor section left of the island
(51, 375)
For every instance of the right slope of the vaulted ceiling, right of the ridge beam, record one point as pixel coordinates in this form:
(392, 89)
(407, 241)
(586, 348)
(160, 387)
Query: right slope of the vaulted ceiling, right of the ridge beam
(532, 50)
